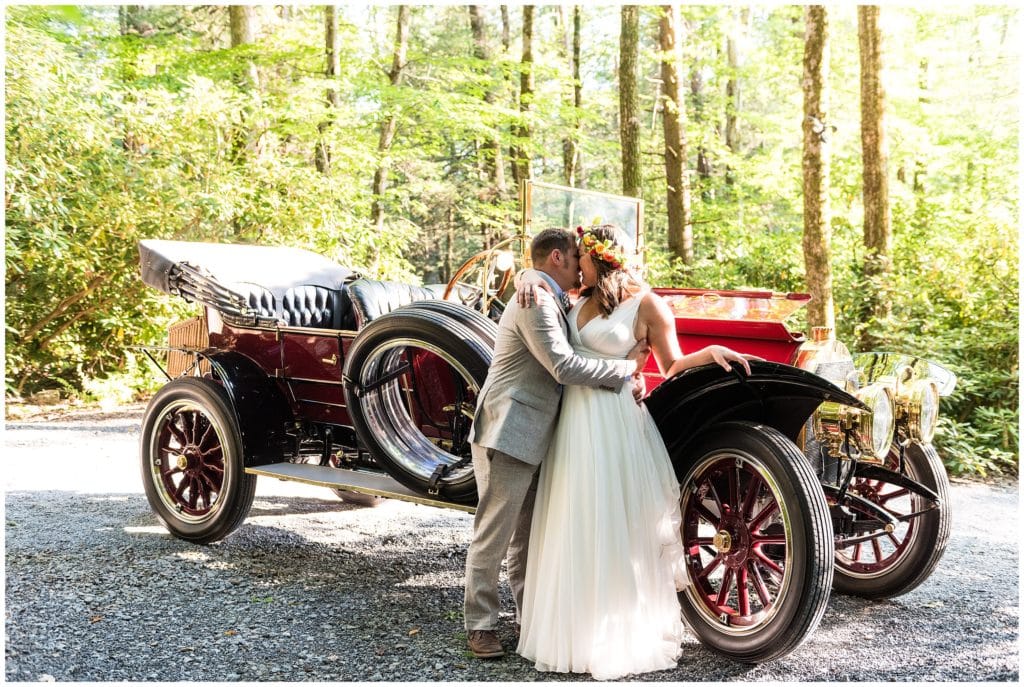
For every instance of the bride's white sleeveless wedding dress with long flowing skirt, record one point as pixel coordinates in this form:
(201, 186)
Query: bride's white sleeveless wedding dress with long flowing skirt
(605, 550)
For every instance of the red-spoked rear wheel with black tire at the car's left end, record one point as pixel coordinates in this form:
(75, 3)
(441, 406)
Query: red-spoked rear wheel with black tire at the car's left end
(195, 416)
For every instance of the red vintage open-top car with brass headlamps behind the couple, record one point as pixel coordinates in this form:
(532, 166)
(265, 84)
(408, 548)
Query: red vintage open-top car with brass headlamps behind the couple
(814, 473)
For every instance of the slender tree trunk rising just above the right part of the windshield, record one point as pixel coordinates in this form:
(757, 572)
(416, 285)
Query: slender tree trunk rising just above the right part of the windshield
(629, 101)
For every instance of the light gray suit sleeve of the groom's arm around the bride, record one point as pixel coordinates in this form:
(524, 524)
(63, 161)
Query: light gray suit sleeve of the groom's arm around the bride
(543, 334)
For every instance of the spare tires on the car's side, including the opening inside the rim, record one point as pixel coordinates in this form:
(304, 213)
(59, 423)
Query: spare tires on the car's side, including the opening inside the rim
(412, 377)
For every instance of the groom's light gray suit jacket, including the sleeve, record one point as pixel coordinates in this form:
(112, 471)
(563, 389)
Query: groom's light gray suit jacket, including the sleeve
(519, 406)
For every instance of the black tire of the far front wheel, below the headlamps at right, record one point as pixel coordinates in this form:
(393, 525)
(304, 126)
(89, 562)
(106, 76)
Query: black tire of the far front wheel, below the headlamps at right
(928, 539)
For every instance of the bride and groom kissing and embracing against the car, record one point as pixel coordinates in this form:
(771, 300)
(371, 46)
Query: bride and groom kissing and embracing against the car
(575, 483)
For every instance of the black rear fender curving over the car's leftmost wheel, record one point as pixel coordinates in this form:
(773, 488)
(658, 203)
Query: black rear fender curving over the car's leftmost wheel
(261, 408)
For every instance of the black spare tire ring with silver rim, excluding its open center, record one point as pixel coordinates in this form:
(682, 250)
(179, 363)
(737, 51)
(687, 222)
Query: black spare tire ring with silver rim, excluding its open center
(381, 422)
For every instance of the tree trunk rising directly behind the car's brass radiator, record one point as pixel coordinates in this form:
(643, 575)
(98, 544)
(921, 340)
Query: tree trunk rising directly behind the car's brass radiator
(818, 228)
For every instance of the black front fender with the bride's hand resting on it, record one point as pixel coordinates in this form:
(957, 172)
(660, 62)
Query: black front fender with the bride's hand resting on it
(775, 395)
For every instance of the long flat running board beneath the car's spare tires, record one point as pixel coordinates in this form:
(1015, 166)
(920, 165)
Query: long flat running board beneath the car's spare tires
(338, 479)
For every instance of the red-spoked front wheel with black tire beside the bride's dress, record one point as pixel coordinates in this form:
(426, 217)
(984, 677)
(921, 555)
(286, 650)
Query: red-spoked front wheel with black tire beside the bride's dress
(803, 589)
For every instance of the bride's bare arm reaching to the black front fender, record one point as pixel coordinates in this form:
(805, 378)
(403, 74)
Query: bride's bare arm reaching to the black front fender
(657, 323)
